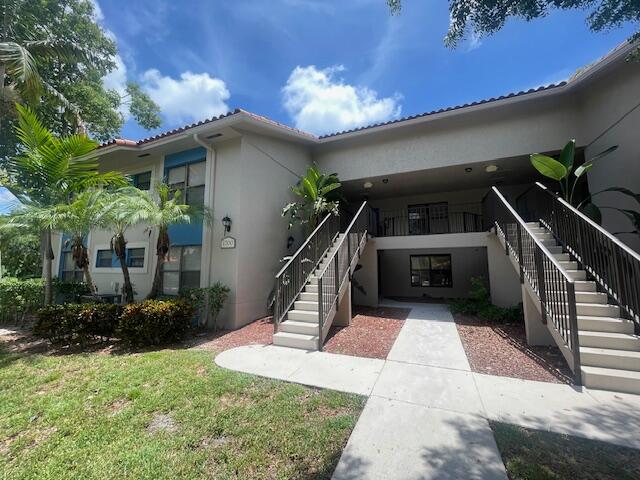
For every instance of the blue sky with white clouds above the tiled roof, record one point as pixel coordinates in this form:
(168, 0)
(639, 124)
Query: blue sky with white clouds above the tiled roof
(325, 65)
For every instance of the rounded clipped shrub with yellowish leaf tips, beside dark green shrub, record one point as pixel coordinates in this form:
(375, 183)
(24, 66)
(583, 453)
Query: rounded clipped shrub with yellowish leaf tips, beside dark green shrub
(154, 322)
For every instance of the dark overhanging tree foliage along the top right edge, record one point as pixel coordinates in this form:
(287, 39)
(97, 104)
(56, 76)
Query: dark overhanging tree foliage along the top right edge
(485, 17)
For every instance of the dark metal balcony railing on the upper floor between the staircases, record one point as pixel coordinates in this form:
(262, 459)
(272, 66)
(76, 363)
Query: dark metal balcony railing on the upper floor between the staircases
(419, 221)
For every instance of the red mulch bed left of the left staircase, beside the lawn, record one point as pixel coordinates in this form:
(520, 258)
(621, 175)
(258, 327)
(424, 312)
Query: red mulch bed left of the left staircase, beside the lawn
(258, 332)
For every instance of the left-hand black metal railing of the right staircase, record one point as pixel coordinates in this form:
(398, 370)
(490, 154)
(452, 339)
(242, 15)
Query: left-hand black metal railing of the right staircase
(552, 284)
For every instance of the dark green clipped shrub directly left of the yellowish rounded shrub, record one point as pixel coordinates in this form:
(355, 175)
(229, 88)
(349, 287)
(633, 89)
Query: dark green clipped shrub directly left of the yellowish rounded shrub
(78, 322)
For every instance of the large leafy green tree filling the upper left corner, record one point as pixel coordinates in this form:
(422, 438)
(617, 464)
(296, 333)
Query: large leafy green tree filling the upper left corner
(54, 54)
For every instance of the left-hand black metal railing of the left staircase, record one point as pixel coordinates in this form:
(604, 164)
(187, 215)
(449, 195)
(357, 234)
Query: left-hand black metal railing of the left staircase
(293, 276)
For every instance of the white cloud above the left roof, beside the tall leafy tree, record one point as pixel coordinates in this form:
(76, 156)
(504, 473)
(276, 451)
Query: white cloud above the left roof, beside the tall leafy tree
(193, 96)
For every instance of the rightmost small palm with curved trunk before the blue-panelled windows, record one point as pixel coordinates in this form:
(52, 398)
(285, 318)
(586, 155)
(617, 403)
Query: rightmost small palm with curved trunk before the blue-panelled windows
(162, 209)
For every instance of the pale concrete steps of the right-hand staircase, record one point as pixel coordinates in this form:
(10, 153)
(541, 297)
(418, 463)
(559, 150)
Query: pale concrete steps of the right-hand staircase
(609, 349)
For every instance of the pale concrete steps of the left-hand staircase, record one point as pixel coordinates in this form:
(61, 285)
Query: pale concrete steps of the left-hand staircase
(301, 327)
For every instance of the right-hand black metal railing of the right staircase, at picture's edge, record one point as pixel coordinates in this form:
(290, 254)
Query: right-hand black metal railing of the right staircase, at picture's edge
(613, 266)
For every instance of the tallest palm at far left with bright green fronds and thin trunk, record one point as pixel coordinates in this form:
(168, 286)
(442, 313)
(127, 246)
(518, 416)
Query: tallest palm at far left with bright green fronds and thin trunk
(50, 171)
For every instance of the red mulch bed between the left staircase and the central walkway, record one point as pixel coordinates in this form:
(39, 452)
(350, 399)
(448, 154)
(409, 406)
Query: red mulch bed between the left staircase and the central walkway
(372, 332)
